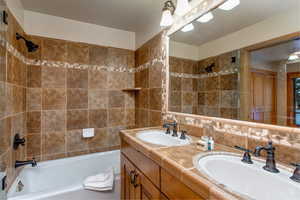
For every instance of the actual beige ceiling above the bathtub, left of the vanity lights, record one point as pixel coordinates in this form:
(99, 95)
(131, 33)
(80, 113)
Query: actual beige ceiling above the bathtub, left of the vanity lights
(130, 15)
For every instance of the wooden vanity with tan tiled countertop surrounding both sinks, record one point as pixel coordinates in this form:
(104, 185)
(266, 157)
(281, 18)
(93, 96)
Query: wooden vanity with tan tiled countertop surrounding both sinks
(155, 172)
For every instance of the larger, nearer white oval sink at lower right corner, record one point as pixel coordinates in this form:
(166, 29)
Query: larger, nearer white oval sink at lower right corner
(248, 180)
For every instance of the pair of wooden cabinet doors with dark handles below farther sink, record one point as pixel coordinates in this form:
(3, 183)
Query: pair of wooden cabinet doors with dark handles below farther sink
(135, 186)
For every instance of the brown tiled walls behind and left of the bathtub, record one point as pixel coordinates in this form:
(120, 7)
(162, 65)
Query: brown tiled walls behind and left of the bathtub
(50, 95)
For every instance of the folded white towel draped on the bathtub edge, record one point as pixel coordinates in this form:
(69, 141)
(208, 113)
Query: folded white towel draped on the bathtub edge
(100, 182)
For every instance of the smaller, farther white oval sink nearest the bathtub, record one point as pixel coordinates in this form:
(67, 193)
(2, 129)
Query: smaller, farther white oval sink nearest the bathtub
(159, 137)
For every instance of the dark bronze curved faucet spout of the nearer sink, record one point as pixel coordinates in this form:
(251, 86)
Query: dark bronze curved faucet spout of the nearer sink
(270, 161)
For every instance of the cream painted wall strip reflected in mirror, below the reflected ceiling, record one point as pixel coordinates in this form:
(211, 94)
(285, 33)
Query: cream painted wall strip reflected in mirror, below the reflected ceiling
(262, 31)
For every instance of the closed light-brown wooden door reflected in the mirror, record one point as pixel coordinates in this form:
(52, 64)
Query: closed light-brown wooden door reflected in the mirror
(263, 96)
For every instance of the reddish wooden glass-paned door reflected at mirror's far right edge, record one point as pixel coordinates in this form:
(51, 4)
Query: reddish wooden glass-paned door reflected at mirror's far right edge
(292, 108)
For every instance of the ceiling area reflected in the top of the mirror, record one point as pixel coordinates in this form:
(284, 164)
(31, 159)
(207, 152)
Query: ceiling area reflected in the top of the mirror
(249, 12)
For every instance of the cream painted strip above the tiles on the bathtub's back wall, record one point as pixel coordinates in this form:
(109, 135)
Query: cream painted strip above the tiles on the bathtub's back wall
(61, 28)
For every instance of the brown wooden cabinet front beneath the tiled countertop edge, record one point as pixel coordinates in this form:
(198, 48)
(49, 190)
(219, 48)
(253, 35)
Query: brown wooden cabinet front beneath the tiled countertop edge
(144, 179)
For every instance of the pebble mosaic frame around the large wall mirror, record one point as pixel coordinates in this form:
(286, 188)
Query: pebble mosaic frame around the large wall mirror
(200, 120)
